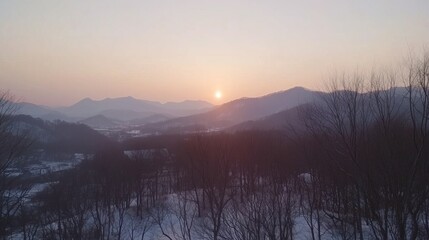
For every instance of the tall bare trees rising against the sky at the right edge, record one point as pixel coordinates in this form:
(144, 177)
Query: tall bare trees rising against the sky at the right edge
(375, 140)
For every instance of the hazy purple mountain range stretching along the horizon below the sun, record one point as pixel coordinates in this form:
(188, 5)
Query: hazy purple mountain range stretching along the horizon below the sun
(270, 112)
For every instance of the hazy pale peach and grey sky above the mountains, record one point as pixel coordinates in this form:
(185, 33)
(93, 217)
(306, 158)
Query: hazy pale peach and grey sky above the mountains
(57, 52)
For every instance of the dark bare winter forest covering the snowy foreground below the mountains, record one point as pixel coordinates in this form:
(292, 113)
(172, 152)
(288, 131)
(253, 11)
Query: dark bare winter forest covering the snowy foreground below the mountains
(250, 185)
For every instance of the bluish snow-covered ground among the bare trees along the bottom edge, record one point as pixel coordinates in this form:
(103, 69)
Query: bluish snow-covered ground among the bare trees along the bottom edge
(176, 218)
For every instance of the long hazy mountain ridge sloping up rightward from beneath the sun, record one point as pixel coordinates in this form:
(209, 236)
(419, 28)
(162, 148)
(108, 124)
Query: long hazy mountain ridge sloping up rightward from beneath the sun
(238, 111)
